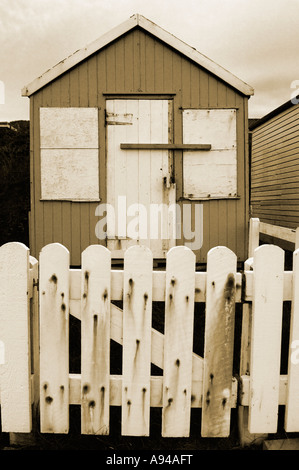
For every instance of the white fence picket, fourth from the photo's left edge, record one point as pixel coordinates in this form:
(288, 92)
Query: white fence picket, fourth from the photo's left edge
(137, 318)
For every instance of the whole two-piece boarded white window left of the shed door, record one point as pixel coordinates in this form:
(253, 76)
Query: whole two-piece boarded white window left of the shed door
(69, 154)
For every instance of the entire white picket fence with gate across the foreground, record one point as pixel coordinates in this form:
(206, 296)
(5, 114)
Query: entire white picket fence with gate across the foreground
(37, 297)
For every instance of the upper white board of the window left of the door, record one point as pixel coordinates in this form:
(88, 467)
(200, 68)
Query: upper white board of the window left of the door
(69, 128)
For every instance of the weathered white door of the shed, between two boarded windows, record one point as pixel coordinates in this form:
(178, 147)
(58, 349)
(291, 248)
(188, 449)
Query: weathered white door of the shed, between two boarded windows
(140, 192)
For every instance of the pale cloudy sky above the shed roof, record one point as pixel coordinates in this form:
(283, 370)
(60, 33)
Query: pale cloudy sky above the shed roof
(256, 40)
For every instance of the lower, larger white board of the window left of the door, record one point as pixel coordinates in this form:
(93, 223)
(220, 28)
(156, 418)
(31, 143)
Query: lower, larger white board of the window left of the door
(69, 174)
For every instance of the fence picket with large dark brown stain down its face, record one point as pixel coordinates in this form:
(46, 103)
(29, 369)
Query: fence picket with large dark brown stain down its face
(219, 341)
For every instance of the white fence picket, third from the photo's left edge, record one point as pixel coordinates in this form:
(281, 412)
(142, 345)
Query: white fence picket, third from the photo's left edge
(95, 344)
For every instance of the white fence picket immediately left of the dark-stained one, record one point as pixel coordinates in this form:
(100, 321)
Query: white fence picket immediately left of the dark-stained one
(178, 342)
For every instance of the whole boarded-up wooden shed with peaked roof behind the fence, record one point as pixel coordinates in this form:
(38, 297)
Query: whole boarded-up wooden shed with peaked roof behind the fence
(138, 117)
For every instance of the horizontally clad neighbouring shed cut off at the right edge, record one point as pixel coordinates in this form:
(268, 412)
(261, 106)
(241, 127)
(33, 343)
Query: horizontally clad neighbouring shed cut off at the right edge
(275, 167)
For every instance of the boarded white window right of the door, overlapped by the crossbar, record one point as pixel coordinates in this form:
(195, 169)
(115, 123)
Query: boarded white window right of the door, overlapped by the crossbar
(210, 173)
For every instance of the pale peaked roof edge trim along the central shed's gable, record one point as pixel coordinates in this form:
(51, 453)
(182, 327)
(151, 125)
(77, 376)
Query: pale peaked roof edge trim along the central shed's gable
(155, 30)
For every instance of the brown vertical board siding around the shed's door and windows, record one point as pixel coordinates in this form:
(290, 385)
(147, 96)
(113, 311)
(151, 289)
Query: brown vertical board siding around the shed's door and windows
(137, 64)
